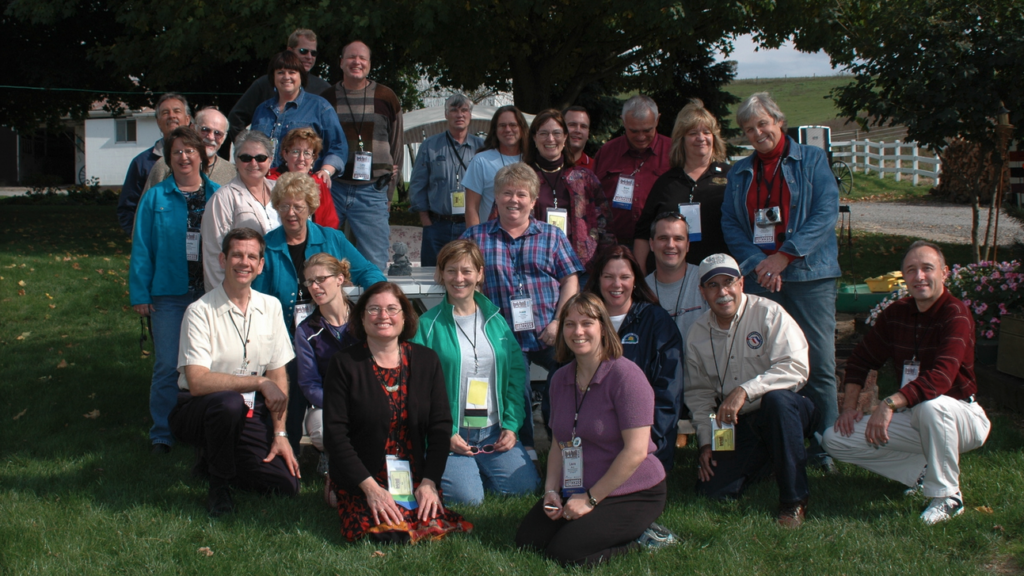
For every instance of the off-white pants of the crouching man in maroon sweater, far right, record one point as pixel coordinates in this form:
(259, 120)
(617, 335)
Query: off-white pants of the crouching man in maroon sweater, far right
(933, 433)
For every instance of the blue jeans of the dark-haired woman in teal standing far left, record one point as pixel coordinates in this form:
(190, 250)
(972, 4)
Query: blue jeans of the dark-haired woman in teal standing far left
(168, 312)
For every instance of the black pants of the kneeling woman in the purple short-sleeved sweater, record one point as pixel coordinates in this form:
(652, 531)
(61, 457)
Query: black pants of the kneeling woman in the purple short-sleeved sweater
(606, 532)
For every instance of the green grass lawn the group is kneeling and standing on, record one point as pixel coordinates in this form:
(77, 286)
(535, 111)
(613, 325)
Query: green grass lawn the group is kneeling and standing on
(80, 495)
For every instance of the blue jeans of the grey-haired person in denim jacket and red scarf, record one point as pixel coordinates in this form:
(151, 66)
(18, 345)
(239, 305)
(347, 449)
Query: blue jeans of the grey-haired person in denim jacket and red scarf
(813, 305)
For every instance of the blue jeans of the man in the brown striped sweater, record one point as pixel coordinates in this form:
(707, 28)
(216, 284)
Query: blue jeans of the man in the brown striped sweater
(366, 209)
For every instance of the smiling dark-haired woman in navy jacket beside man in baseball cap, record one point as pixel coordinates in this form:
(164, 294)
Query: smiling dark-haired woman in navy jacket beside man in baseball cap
(650, 339)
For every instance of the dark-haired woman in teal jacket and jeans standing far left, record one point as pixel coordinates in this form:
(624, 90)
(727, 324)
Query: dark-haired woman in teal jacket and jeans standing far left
(166, 271)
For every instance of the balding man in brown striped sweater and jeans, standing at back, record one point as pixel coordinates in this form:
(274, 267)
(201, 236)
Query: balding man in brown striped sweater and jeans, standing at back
(371, 115)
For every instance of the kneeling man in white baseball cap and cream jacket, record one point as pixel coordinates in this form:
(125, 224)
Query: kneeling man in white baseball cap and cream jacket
(746, 360)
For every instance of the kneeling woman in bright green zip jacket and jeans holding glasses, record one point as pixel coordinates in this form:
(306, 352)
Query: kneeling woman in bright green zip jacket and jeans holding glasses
(484, 374)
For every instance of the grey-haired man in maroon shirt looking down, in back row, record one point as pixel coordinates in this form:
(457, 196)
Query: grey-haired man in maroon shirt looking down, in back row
(629, 166)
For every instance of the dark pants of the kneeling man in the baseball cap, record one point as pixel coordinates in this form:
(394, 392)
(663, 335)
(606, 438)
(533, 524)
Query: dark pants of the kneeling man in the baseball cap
(771, 439)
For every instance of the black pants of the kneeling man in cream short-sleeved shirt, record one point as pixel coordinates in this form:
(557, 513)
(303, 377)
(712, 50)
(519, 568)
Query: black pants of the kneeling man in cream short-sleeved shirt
(233, 446)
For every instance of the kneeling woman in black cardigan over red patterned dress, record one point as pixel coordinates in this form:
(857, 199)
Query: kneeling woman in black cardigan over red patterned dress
(387, 426)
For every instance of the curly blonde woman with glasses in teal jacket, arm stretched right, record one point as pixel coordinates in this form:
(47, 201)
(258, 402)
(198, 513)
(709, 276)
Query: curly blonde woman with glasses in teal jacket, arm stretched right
(295, 197)
